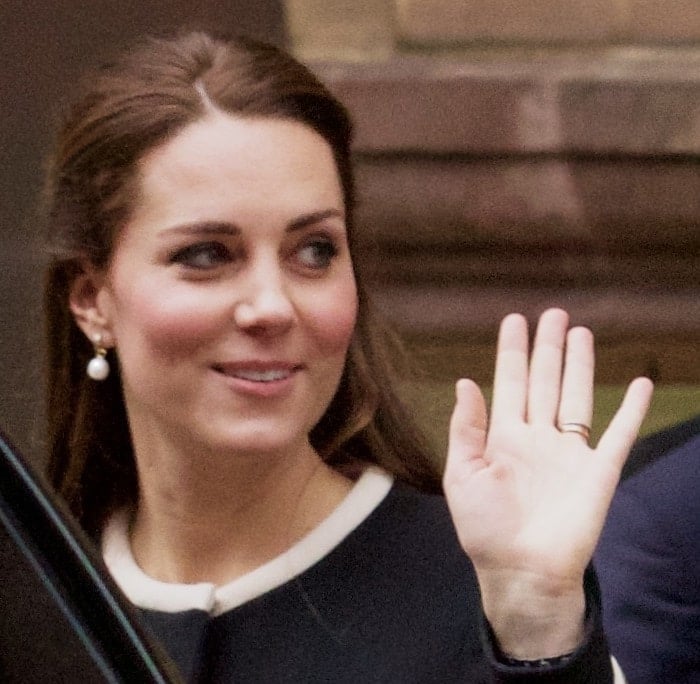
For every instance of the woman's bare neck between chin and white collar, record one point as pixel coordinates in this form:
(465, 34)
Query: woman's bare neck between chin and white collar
(208, 517)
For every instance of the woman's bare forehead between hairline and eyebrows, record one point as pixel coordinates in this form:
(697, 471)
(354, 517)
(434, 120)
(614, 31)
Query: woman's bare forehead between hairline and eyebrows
(225, 162)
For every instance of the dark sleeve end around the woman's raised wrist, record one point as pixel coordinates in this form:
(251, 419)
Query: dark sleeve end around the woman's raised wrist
(589, 664)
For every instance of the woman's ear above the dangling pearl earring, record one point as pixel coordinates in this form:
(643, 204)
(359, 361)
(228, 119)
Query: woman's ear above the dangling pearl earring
(89, 300)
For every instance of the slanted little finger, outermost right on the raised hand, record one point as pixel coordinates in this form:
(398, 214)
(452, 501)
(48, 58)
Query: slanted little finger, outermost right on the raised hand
(618, 438)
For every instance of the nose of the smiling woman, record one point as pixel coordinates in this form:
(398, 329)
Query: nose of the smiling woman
(265, 305)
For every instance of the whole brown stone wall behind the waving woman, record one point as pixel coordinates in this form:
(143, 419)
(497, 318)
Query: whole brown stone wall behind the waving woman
(513, 156)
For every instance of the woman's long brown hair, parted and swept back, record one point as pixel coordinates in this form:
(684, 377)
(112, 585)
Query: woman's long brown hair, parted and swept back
(127, 108)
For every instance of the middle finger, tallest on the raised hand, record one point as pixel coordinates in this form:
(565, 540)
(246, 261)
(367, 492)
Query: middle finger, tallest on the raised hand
(545, 367)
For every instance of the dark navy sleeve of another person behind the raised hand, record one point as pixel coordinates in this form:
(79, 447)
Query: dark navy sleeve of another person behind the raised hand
(648, 560)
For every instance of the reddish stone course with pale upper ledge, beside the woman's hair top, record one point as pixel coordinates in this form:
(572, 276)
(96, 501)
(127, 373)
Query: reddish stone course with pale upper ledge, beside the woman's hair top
(625, 101)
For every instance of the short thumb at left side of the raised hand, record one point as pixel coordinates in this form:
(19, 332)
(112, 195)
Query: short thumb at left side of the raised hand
(467, 428)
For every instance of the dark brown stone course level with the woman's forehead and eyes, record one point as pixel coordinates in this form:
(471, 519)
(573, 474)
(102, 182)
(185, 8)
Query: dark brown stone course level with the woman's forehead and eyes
(609, 204)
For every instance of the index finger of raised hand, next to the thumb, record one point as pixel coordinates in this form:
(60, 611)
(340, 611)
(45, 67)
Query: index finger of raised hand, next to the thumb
(510, 379)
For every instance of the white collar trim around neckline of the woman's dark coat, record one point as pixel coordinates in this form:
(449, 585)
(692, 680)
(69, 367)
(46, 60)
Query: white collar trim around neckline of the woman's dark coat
(144, 591)
